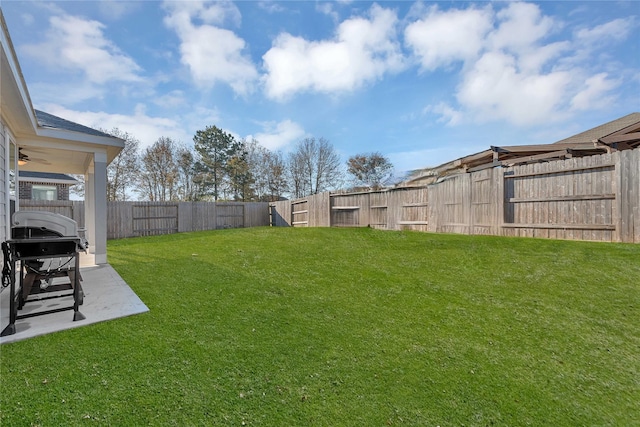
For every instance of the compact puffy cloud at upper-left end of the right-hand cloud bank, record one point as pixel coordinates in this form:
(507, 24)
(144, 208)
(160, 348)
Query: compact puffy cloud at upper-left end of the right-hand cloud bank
(441, 38)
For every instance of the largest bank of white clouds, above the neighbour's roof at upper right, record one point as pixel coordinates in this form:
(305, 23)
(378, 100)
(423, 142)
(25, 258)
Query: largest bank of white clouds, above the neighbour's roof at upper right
(512, 71)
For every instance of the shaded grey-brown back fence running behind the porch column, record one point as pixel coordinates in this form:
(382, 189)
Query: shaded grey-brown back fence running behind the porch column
(131, 219)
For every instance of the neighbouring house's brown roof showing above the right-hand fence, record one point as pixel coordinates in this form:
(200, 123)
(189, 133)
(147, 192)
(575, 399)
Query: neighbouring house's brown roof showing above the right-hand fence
(619, 134)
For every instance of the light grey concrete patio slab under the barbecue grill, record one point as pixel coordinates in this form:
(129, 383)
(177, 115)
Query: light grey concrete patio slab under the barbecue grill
(106, 297)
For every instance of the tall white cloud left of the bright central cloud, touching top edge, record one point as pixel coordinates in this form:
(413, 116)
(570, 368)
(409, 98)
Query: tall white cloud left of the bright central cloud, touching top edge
(212, 54)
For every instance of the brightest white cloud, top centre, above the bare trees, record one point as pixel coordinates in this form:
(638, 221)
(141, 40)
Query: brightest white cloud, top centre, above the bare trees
(363, 50)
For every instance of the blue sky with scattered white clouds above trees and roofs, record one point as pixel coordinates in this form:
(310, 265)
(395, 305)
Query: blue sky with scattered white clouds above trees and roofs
(421, 82)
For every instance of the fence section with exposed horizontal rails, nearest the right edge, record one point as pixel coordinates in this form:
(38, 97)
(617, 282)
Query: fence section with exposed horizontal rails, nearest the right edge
(577, 191)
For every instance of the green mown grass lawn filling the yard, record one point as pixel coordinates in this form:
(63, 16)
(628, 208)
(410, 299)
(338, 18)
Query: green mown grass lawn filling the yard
(353, 327)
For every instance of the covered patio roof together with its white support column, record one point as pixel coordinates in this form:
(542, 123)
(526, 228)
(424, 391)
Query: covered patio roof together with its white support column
(51, 144)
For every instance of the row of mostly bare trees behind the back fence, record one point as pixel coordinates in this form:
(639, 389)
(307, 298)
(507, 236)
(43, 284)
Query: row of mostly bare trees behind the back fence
(221, 167)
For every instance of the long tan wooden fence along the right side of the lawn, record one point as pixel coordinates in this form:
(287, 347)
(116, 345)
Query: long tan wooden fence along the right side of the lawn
(587, 198)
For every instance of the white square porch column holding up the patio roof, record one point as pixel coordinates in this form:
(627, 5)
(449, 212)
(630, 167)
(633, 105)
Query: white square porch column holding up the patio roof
(96, 207)
